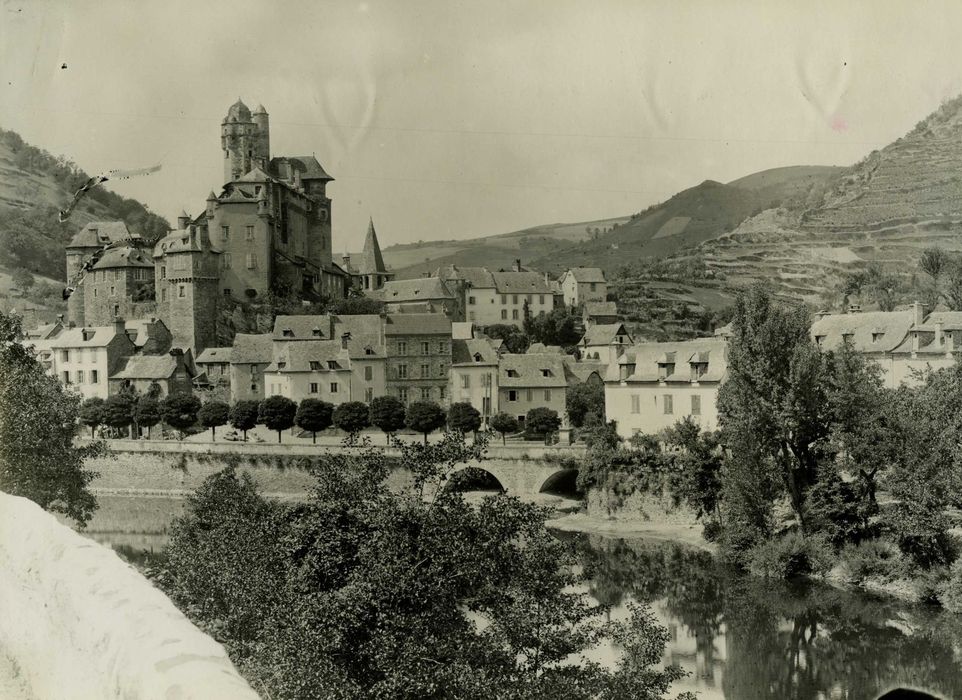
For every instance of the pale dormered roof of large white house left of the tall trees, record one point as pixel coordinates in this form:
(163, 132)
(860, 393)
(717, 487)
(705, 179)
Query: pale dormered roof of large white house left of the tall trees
(649, 360)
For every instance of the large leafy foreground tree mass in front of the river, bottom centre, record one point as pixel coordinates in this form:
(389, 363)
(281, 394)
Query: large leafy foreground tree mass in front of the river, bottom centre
(364, 593)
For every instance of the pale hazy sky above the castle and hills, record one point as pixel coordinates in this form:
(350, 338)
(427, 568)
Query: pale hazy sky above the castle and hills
(445, 119)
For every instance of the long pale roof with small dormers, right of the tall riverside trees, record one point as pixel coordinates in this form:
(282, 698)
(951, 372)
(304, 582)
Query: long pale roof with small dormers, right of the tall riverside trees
(869, 331)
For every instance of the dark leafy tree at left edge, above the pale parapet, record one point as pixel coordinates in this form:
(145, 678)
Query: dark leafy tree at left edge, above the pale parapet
(38, 423)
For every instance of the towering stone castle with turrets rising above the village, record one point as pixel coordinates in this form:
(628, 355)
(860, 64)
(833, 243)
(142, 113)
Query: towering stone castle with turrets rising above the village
(269, 229)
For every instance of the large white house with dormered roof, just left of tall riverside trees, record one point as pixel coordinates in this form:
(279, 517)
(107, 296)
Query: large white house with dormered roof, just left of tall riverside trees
(652, 386)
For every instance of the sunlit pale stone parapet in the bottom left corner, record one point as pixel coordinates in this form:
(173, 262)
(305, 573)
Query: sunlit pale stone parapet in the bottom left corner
(80, 623)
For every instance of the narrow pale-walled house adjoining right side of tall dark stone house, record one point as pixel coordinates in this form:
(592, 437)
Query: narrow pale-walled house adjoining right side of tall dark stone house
(474, 375)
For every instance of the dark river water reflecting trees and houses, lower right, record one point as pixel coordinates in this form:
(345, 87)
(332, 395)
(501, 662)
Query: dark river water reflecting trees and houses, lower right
(743, 638)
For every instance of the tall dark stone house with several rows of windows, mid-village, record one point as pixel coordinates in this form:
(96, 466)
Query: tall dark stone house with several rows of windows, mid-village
(418, 357)
